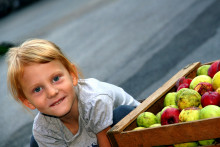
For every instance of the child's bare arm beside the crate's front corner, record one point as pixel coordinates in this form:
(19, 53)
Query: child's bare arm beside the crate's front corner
(103, 139)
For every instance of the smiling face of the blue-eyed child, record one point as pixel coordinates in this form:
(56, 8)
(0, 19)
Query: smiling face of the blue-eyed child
(48, 87)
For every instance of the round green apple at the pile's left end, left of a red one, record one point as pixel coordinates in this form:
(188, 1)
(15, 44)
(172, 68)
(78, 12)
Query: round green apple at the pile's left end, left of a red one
(146, 119)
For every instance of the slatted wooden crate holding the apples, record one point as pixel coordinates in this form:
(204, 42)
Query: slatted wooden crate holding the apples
(122, 134)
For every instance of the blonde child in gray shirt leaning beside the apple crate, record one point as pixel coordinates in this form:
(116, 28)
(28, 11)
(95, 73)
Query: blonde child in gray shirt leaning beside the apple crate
(72, 111)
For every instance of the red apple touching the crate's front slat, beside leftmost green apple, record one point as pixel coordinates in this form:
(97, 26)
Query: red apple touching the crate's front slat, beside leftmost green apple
(170, 116)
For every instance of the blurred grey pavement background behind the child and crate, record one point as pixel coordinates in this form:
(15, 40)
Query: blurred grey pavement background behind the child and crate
(137, 45)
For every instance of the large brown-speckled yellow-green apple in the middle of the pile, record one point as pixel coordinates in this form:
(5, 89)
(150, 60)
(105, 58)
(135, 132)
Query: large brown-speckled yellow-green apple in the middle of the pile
(188, 98)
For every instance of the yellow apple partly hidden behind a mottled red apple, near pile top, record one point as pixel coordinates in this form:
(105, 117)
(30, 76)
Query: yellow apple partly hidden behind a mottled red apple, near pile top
(199, 79)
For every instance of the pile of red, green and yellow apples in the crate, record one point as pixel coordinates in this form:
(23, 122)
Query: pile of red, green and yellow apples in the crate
(194, 99)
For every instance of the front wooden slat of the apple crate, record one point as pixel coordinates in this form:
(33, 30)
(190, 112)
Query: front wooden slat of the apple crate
(171, 134)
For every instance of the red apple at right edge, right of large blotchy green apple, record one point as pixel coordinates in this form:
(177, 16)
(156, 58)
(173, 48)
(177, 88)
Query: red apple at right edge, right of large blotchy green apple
(210, 98)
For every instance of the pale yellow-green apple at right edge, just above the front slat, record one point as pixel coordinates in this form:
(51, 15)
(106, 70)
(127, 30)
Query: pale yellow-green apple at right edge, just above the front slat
(209, 112)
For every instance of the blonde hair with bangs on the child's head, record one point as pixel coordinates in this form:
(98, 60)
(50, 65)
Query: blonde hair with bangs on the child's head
(33, 51)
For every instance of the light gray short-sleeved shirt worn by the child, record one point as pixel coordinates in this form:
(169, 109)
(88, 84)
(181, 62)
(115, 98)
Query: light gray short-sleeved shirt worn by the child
(96, 102)
